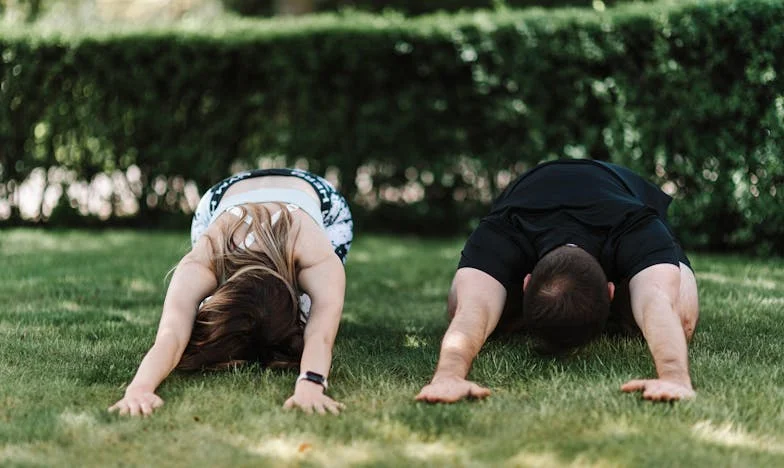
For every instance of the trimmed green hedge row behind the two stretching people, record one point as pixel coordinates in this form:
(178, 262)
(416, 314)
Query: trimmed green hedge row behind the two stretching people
(441, 108)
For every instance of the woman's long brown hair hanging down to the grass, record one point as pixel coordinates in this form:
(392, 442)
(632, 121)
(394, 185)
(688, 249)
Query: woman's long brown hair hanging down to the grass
(253, 315)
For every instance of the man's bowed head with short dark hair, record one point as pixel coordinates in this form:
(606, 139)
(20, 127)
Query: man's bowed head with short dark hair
(566, 299)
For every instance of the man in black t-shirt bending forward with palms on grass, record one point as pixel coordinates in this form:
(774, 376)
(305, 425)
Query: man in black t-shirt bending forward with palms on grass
(546, 260)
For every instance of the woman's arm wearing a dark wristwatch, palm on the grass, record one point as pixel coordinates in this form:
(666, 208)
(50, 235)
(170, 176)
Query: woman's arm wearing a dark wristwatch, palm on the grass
(323, 278)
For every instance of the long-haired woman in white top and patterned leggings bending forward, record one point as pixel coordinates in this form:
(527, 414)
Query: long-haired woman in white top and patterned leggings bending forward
(259, 238)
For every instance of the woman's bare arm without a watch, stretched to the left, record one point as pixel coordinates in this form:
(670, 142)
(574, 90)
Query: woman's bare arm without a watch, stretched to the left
(191, 282)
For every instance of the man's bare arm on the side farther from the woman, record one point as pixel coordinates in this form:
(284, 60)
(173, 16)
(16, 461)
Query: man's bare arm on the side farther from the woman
(655, 296)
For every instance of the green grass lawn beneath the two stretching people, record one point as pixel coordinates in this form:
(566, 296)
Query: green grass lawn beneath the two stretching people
(78, 310)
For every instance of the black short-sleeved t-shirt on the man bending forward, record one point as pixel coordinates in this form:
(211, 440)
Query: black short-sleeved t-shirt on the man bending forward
(607, 210)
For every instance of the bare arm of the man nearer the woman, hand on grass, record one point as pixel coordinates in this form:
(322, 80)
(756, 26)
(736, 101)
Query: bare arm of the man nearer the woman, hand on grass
(478, 301)
